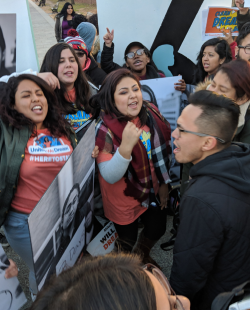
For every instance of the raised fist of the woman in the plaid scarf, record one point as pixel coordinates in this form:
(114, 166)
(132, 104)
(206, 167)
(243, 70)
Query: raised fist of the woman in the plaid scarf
(130, 137)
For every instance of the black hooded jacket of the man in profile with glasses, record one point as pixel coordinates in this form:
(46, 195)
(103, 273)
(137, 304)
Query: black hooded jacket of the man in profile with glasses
(212, 248)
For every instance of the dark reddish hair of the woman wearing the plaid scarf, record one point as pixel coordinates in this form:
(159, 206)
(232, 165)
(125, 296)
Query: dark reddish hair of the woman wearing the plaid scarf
(104, 99)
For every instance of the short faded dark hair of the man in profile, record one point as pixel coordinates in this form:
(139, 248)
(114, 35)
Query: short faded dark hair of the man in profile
(219, 117)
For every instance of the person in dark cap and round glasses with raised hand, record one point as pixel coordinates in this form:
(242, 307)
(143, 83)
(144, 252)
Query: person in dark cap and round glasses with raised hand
(137, 59)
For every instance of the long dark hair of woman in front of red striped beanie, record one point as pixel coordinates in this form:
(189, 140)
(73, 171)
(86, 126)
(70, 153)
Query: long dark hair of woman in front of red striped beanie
(51, 63)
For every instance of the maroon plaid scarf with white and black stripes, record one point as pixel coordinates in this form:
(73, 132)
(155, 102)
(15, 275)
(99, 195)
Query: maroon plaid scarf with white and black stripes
(138, 176)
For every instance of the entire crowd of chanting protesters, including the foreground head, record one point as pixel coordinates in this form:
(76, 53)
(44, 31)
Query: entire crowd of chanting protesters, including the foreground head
(76, 83)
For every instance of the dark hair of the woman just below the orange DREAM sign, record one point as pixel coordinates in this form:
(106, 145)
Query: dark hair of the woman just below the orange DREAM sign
(222, 48)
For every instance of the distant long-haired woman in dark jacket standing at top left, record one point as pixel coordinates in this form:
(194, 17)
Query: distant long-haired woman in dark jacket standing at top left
(64, 21)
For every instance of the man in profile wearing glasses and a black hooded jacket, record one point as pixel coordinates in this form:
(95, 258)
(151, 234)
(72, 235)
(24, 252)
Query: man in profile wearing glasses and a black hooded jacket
(212, 248)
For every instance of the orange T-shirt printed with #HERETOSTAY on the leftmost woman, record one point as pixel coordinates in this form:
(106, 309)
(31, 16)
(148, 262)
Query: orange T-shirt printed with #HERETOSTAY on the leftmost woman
(42, 162)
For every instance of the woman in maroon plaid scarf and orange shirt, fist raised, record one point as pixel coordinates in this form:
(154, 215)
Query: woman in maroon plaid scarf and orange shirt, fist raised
(134, 141)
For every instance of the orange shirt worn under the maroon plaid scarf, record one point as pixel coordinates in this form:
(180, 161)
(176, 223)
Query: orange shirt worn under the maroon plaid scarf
(119, 208)
